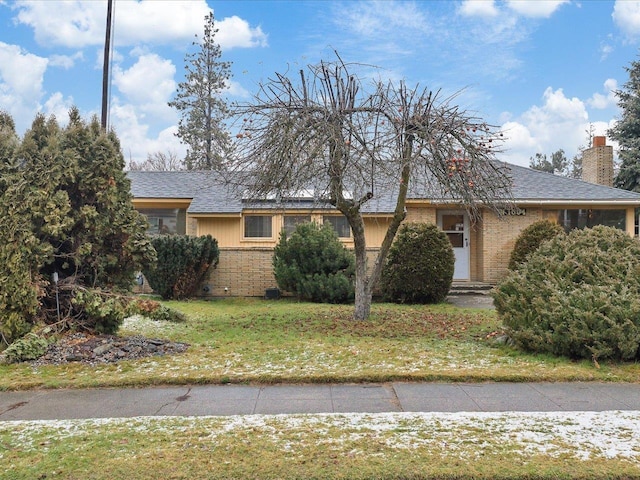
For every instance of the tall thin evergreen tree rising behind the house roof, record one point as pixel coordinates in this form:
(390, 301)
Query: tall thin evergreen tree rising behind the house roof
(199, 101)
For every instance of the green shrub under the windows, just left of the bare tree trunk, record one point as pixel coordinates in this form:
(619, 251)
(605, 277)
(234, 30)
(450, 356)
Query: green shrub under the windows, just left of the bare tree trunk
(314, 265)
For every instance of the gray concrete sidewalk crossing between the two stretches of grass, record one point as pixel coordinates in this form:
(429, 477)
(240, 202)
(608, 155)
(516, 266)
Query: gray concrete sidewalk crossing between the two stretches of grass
(343, 398)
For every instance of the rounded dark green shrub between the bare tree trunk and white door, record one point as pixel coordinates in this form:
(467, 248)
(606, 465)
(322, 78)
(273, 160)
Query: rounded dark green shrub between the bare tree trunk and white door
(420, 265)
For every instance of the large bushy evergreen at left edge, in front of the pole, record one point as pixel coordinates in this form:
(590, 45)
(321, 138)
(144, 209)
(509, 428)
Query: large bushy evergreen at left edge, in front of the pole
(70, 239)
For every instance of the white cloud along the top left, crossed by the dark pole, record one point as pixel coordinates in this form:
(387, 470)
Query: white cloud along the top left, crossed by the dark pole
(78, 24)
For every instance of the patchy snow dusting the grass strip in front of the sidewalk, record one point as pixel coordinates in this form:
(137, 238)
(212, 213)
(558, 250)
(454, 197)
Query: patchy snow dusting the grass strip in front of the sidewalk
(580, 435)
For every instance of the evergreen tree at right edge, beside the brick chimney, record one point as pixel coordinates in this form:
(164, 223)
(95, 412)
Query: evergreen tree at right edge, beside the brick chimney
(627, 131)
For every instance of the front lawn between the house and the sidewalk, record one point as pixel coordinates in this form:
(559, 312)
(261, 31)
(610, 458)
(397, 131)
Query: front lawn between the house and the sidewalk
(257, 341)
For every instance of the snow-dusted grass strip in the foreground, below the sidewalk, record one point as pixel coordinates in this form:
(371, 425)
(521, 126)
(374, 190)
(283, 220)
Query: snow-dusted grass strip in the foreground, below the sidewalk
(356, 446)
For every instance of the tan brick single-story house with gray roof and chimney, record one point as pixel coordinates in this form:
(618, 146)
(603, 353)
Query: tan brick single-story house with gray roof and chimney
(198, 203)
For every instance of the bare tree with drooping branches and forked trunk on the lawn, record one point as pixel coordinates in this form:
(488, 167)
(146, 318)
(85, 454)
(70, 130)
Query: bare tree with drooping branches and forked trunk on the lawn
(326, 133)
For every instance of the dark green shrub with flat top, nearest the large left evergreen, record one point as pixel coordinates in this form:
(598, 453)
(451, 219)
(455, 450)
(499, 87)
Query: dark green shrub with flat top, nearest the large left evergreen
(181, 265)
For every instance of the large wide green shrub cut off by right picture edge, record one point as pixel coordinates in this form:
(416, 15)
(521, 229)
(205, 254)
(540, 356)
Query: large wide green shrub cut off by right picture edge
(578, 295)
